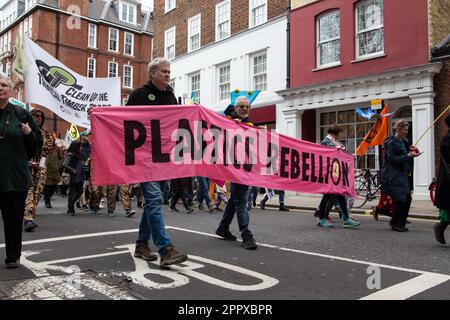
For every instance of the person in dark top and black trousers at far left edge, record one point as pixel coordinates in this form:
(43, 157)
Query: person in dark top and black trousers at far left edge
(19, 141)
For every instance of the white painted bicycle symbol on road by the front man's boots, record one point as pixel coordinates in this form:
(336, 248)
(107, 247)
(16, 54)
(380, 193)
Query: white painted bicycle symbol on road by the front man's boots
(178, 275)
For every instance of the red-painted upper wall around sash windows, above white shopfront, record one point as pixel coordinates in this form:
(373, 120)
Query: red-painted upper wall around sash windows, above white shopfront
(405, 41)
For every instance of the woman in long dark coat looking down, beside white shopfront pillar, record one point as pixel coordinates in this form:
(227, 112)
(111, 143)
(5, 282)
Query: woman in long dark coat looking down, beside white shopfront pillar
(394, 174)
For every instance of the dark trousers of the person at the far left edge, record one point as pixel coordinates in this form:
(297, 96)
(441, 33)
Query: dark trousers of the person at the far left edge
(12, 206)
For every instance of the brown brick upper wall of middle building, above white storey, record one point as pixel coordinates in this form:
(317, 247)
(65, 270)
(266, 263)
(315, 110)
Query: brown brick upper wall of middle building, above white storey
(186, 9)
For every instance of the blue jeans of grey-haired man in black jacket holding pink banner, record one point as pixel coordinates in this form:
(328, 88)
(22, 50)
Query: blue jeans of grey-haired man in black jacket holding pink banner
(152, 223)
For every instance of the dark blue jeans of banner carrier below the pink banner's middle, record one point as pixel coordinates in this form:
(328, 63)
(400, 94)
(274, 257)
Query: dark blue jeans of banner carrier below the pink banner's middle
(237, 205)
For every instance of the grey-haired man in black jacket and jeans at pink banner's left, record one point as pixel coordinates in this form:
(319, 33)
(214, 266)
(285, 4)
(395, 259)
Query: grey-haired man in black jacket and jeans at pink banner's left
(156, 92)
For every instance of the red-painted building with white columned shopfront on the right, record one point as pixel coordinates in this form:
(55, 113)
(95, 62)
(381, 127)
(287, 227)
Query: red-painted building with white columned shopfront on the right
(345, 53)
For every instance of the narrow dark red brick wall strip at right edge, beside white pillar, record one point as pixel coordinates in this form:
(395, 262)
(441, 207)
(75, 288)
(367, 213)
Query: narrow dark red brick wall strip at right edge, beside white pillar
(441, 101)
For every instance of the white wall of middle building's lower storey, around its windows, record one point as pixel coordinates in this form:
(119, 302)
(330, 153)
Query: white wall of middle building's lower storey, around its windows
(237, 50)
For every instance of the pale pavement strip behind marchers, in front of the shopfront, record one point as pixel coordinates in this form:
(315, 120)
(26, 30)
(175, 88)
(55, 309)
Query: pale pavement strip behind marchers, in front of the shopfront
(422, 209)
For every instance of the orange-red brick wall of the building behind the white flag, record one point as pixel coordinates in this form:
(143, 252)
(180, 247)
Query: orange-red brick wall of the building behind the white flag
(73, 52)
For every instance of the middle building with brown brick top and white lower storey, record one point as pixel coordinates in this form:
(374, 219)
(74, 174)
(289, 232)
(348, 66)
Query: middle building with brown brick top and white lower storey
(216, 46)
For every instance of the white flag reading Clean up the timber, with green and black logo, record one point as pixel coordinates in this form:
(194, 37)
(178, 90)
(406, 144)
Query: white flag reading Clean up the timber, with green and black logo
(51, 84)
